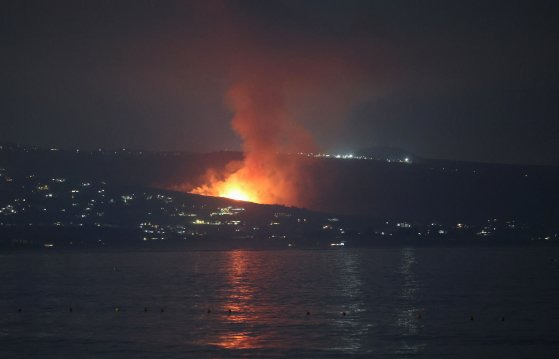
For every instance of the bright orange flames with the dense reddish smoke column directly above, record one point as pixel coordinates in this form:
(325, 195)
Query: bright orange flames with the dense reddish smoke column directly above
(267, 130)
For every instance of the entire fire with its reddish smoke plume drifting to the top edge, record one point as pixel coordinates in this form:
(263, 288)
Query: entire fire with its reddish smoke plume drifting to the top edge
(275, 77)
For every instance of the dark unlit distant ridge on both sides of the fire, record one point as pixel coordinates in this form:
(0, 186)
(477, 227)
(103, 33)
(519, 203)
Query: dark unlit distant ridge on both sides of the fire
(443, 190)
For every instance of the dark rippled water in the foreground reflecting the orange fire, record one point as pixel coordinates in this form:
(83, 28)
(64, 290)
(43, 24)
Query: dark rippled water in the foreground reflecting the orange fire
(407, 302)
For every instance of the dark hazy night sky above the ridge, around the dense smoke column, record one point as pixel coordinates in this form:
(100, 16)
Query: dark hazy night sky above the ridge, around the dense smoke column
(446, 79)
